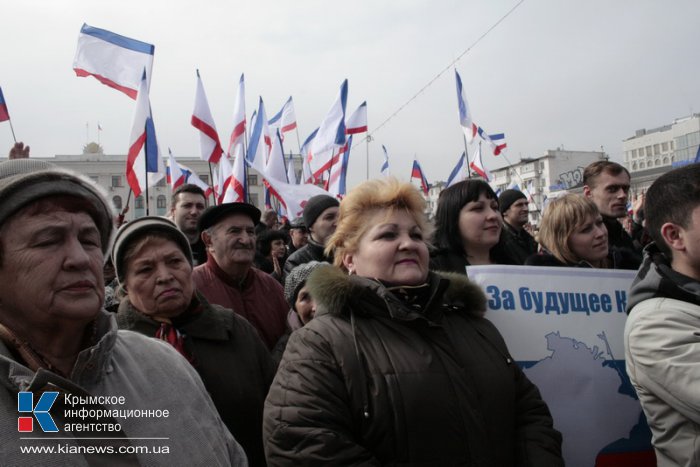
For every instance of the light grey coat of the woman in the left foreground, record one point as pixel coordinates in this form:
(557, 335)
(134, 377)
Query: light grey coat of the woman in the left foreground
(149, 375)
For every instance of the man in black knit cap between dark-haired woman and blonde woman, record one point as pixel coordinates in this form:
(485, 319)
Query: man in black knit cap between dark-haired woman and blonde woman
(517, 241)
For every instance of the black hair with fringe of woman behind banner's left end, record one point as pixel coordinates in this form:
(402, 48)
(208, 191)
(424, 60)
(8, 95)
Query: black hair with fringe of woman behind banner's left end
(450, 203)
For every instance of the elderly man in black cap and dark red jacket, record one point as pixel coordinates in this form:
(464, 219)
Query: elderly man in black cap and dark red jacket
(229, 279)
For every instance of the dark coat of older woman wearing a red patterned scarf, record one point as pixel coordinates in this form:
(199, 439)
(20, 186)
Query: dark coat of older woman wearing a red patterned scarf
(233, 362)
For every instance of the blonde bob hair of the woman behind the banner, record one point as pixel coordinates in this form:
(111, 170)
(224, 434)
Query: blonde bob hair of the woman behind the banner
(560, 220)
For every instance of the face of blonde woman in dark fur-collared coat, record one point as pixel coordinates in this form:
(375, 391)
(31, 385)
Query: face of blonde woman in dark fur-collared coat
(391, 250)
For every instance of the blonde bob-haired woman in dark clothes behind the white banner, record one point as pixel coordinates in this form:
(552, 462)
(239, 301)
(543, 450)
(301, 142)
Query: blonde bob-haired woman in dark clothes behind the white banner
(572, 233)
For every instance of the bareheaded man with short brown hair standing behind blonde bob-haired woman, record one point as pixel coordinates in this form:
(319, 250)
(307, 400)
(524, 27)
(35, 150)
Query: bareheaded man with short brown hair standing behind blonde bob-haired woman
(607, 184)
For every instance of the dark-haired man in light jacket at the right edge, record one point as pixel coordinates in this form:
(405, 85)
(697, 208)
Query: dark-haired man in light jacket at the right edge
(662, 332)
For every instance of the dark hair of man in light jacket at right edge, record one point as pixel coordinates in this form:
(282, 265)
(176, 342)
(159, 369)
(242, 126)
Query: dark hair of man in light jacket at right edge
(672, 198)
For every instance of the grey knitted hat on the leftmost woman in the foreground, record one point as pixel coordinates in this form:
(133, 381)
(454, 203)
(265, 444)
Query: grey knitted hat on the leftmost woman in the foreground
(25, 181)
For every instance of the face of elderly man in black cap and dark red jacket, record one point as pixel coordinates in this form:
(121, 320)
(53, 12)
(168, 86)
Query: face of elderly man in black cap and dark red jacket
(232, 241)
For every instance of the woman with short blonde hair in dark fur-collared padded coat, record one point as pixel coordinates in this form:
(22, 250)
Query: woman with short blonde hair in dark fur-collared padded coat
(399, 366)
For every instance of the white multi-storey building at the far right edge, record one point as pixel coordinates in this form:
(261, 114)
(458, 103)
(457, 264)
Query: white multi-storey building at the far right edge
(665, 146)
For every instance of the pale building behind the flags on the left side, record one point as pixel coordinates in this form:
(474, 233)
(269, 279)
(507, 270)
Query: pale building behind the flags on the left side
(109, 172)
